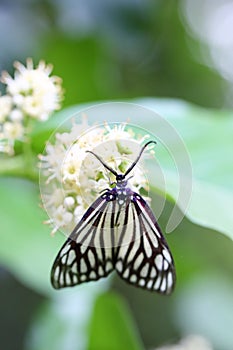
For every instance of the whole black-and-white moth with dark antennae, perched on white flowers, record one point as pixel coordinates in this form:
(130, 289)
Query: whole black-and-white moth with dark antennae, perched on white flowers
(117, 232)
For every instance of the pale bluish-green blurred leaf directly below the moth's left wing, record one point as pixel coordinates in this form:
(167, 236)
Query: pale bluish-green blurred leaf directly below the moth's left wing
(61, 323)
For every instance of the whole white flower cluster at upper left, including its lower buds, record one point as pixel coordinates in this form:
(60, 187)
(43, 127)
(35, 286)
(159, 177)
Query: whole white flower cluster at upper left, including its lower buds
(31, 94)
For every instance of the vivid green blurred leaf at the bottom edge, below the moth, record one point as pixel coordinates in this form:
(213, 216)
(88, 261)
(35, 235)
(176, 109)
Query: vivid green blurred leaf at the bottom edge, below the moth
(112, 326)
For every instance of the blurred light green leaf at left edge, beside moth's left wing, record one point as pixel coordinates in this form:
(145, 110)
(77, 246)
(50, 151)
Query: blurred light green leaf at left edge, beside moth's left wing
(27, 247)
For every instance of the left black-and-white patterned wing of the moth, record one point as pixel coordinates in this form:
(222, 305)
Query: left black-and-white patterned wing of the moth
(86, 255)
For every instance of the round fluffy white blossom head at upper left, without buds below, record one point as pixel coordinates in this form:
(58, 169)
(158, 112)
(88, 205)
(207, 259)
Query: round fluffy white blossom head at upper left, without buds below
(33, 90)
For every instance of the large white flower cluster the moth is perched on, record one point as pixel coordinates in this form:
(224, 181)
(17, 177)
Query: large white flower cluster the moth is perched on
(71, 178)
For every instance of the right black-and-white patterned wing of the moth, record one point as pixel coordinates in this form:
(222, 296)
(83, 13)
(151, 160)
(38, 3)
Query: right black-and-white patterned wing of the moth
(146, 260)
